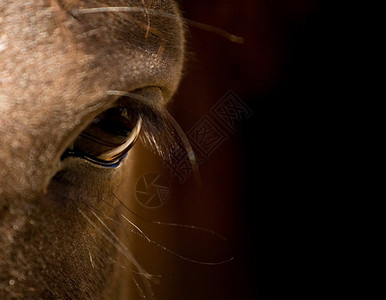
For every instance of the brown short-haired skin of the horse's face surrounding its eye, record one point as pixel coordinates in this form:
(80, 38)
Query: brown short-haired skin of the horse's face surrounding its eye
(55, 70)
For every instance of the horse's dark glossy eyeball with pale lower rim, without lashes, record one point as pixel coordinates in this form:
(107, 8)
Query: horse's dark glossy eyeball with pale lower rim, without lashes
(107, 139)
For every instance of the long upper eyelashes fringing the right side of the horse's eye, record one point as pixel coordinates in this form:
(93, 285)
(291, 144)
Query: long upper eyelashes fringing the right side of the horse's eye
(161, 132)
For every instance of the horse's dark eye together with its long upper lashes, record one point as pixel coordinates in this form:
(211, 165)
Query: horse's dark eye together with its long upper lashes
(107, 140)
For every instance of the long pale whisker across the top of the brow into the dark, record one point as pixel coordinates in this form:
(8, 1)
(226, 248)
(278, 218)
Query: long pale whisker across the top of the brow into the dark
(215, 30)
